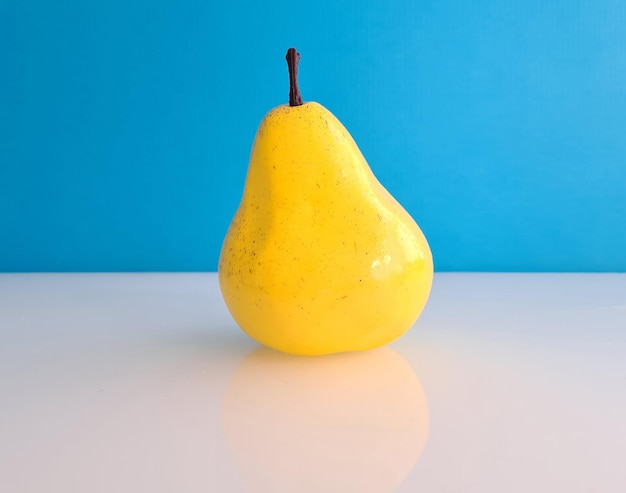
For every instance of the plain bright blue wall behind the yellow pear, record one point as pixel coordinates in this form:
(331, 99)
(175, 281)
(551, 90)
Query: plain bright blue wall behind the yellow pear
(126, 126)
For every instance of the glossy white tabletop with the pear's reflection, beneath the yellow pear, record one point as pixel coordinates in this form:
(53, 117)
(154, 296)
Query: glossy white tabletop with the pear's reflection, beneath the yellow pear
(130, 383)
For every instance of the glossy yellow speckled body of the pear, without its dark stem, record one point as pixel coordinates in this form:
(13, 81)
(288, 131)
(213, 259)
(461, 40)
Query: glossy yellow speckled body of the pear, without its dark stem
(319, 257)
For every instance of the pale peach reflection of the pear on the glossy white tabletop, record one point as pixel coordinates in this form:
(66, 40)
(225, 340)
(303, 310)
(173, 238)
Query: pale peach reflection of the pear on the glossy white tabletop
(344, 422)
